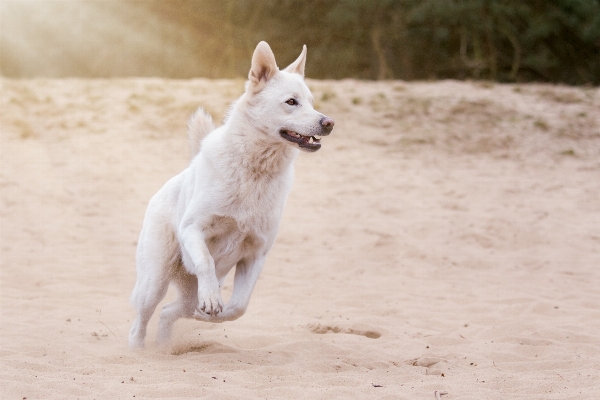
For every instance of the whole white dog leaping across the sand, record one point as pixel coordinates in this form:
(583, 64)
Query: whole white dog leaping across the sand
(224, 209)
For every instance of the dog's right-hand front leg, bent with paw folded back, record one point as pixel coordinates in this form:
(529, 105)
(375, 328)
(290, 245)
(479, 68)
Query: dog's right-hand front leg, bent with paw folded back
(246, 275)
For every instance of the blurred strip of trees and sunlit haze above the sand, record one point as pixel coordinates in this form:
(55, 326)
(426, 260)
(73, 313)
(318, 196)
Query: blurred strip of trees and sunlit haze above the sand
(502, 40)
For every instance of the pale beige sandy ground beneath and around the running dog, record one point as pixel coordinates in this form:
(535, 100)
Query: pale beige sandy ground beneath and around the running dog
(445, 238)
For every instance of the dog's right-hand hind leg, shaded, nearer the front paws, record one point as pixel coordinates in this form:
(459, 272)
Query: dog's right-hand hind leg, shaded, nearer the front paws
(183, 307)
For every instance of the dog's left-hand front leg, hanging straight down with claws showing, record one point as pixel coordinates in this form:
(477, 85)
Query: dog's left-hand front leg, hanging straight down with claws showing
(198, 261)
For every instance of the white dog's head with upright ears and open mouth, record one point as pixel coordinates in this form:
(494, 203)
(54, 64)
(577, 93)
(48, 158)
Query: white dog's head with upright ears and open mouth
(282, 102)
